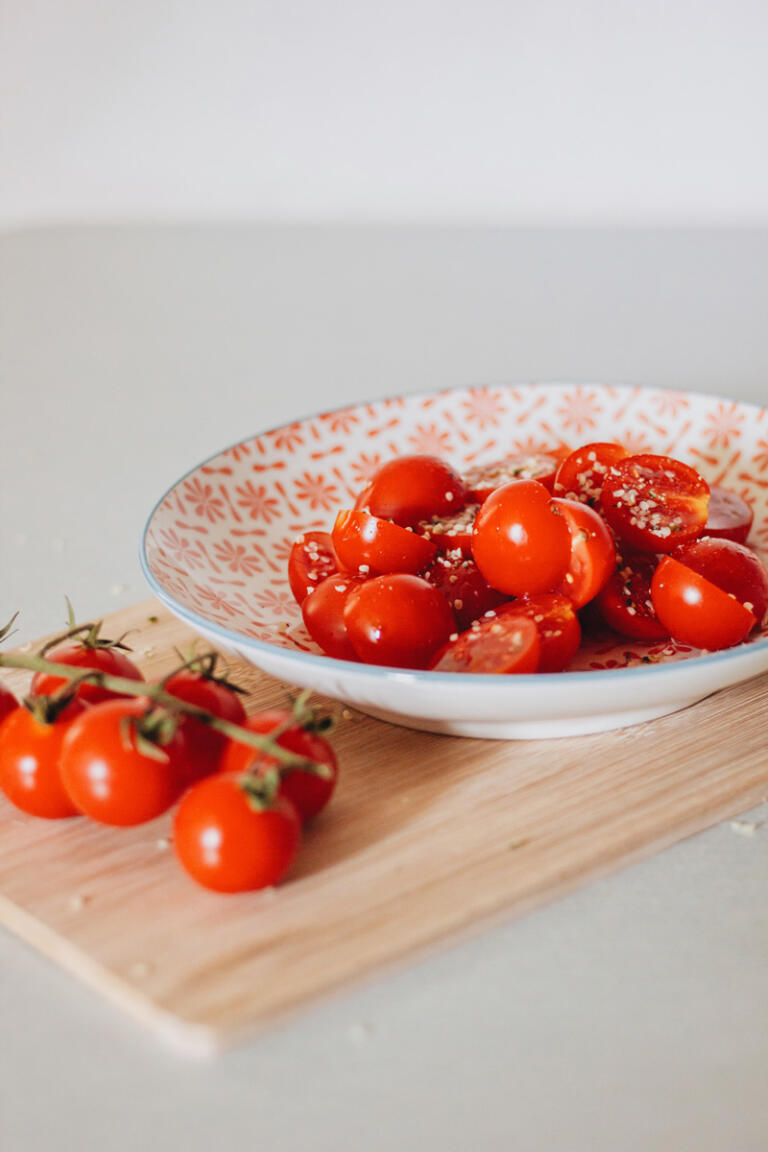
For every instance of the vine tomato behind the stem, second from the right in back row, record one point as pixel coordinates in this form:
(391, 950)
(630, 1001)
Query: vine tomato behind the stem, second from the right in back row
(204, 745)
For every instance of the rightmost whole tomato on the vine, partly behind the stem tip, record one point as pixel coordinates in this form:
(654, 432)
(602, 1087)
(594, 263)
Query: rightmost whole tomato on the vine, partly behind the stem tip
(307, 791)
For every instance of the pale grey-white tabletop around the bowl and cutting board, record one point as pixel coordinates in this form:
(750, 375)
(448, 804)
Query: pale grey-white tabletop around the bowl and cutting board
(633, 1015)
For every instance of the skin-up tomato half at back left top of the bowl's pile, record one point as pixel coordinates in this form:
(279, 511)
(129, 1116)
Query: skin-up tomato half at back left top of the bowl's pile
(410, 489)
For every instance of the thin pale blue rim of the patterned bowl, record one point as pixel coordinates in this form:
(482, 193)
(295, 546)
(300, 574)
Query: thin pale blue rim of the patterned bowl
(473, 681)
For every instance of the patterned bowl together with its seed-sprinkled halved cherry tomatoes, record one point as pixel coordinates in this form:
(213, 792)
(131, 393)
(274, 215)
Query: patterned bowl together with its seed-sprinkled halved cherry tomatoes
(429, 558)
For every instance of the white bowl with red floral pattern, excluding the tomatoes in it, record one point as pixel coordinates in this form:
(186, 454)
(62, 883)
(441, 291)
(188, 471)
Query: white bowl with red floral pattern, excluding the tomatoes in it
(216, 548)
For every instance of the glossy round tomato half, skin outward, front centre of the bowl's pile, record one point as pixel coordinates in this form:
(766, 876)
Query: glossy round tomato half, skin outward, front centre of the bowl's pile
(522, 543)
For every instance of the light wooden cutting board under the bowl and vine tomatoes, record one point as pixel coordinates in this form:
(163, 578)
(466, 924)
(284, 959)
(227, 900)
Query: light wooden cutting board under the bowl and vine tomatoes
(427, 838)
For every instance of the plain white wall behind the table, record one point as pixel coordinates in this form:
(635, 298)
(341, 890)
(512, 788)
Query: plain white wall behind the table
(537, 111)
